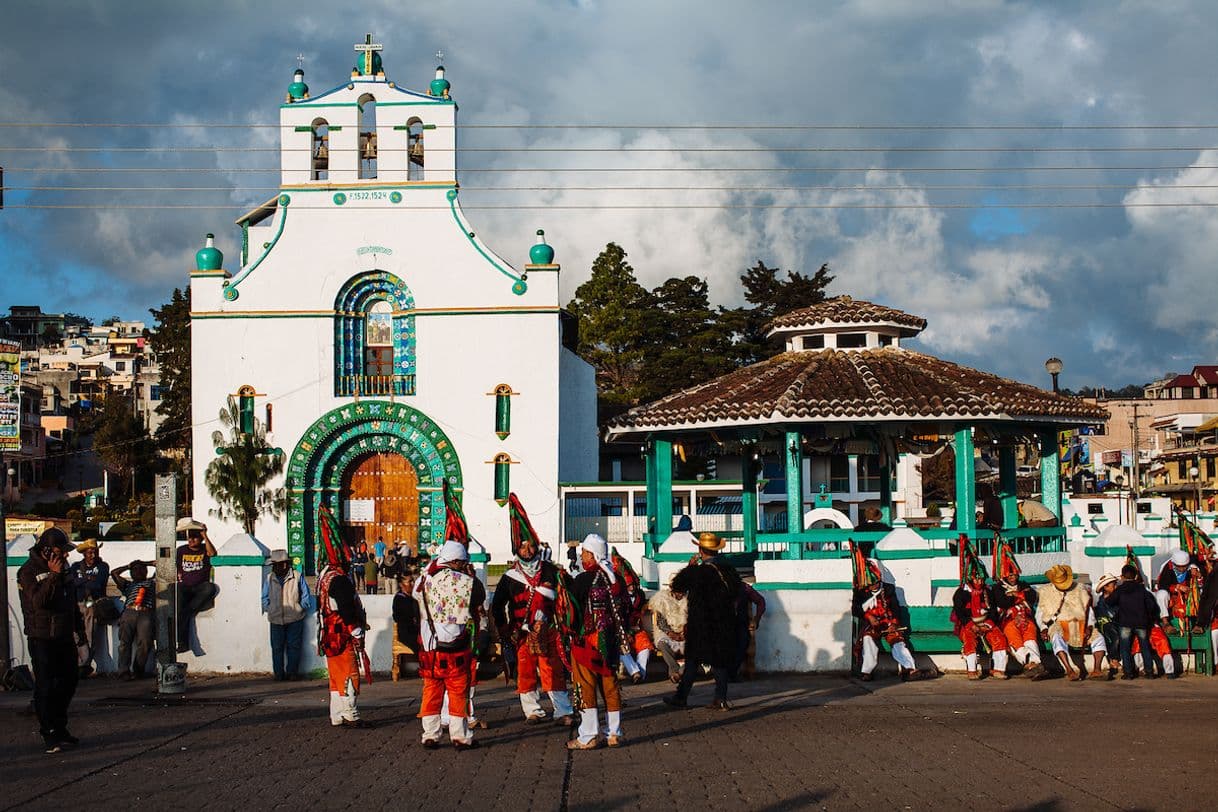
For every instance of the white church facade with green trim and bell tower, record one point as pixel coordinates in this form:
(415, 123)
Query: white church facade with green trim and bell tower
(384, 346)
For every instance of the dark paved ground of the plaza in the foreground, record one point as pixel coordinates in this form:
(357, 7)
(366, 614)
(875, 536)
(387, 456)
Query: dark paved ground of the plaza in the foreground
(792, 743)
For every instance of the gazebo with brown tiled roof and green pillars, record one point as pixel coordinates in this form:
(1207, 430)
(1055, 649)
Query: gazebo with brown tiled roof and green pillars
(845, 376)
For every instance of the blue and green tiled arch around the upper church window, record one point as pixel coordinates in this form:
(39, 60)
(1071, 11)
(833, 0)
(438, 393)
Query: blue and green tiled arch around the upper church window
(350, 311)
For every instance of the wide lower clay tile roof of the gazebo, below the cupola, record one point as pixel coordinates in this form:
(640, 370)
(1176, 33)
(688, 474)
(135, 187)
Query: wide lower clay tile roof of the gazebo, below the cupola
(886, 384)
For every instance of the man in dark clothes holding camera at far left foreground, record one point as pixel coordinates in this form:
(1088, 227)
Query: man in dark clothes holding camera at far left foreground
(55, 629)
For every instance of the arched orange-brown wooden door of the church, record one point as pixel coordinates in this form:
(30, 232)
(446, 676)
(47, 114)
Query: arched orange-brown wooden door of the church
(381, 499)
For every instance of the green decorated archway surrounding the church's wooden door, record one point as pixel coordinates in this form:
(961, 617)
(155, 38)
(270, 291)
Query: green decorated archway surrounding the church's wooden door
(339, 439)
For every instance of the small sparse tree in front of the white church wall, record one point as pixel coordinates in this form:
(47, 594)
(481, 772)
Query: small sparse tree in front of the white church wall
(238, 478)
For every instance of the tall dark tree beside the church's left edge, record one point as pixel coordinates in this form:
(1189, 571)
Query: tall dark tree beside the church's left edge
(171, 341)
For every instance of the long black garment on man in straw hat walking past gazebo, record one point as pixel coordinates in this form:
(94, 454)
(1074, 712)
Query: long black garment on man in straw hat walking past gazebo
(712, 590)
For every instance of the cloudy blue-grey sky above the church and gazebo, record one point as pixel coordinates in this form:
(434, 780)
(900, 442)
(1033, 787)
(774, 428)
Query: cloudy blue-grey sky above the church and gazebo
(1036, 178)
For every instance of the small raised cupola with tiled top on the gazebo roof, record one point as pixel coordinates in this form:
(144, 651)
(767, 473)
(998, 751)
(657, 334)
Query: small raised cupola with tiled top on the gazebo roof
(845, 323)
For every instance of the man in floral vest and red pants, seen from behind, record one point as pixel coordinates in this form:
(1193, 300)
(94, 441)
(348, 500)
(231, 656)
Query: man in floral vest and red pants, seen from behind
(450, 602)
